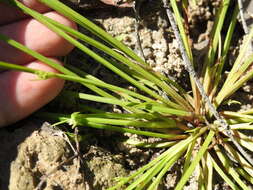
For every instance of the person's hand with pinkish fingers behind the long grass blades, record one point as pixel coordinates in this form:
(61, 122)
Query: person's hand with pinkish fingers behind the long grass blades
(20, 93)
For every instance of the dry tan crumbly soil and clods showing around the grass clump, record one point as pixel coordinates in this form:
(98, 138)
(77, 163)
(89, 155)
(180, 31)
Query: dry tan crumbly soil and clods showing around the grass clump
(32, 150)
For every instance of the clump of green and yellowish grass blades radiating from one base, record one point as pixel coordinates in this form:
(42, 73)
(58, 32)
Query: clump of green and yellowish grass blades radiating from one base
(185, 120)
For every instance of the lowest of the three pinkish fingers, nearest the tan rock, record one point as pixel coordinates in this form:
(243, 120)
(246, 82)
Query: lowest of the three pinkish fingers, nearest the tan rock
(22, 94)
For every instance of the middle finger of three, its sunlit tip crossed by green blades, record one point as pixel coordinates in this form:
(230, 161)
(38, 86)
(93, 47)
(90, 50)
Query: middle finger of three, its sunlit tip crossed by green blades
(35, 36)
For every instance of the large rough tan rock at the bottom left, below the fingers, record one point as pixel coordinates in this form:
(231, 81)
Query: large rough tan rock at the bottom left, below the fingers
(37, 156)
